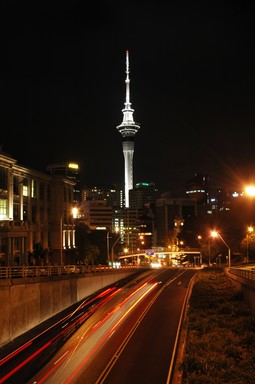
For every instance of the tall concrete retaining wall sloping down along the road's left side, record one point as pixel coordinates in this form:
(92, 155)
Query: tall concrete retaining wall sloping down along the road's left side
(26, 303)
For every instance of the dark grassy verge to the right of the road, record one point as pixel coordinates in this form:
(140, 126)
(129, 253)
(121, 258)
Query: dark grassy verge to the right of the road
(220, 333)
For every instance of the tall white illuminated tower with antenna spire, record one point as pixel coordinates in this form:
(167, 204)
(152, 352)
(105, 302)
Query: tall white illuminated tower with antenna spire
(128, 129)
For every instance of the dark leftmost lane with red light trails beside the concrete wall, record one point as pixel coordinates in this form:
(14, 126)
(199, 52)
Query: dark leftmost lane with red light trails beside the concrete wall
(24, 357)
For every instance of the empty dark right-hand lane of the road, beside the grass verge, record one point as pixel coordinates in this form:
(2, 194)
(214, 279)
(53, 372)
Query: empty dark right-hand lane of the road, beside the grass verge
(148, 356)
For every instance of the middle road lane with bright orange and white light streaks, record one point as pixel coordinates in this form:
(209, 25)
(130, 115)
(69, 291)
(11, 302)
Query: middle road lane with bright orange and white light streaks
(101, 332)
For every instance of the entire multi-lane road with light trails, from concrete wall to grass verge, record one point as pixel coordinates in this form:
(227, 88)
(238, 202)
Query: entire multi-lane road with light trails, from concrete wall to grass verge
(125, 333)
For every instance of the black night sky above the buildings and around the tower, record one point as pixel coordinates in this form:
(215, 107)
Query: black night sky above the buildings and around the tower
(192, 85)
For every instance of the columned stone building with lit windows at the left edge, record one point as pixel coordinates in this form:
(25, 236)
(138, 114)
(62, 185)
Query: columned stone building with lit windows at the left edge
(35, 208)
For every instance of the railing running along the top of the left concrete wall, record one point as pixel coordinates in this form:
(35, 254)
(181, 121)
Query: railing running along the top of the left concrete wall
(31, 271)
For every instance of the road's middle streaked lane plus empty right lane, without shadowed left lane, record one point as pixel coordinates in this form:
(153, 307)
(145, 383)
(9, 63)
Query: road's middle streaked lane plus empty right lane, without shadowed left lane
(132, 338)
